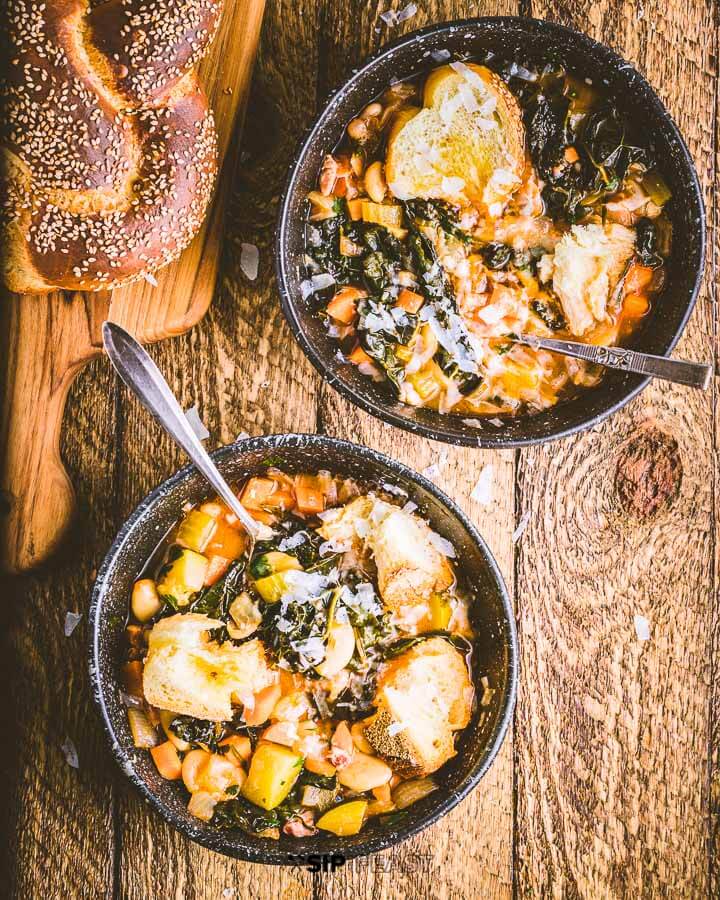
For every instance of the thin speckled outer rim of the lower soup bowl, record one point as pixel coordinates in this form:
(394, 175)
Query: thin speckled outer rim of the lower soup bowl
(99, 679)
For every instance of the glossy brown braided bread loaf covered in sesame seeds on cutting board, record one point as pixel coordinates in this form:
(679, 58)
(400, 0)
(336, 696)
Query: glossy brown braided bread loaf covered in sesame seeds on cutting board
(109, 149)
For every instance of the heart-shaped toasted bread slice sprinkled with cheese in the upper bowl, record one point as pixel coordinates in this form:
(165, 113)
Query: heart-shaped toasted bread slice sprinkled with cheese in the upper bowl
(465, 146)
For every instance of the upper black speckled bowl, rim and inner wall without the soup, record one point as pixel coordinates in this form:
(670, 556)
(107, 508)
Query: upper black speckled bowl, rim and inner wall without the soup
(525, 39)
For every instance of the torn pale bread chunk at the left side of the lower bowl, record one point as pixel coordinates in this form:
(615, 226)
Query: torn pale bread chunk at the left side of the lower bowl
(186, 674)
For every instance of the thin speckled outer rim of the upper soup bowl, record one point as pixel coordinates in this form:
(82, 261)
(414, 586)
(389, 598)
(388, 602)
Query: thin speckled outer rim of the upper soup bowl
(284, 225)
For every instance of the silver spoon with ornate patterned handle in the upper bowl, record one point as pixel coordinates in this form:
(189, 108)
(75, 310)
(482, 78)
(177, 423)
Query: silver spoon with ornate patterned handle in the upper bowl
(680, 371)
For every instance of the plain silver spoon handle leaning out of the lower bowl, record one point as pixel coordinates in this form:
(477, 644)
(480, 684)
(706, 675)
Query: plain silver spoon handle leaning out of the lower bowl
(145, 380)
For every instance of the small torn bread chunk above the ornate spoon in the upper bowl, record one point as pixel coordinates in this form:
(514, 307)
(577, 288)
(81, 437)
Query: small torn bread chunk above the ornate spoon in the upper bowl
(587, 265)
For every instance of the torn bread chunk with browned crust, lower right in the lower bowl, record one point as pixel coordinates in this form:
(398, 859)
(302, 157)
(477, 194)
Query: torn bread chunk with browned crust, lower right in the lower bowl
(423, 697)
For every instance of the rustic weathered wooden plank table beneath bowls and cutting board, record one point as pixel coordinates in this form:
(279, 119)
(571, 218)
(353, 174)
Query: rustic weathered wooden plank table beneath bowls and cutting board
(609, 784)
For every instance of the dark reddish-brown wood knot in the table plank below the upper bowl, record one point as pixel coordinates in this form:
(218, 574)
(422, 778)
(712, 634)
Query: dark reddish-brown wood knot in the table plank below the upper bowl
(649, 472)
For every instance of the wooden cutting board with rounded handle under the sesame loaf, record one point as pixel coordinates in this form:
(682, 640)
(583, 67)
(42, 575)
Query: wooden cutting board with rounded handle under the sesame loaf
(46, 340)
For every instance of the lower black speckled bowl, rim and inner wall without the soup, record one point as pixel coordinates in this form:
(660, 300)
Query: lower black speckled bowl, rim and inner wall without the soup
(495, 656)
